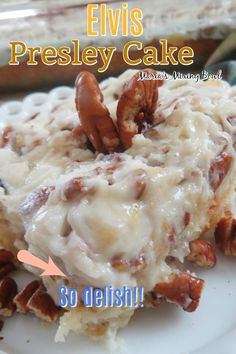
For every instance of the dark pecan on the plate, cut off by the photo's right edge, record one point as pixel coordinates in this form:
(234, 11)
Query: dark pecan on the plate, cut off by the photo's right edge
(225, 234)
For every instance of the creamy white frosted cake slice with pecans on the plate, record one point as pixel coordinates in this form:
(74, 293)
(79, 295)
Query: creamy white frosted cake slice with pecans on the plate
(120, 183)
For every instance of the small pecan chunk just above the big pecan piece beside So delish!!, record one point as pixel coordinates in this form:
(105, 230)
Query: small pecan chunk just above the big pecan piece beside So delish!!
(202, 253)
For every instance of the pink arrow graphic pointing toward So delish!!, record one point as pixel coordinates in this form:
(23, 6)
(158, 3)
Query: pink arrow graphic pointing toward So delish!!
(49, 268)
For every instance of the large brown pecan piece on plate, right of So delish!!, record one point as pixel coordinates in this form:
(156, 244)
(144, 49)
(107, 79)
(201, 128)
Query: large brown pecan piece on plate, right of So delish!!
(183, 289)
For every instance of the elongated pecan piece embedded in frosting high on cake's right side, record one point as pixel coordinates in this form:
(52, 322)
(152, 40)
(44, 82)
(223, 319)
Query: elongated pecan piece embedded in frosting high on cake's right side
(219, 169)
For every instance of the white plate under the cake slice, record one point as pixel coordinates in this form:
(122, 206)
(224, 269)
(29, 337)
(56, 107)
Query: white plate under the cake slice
(166, 330)
